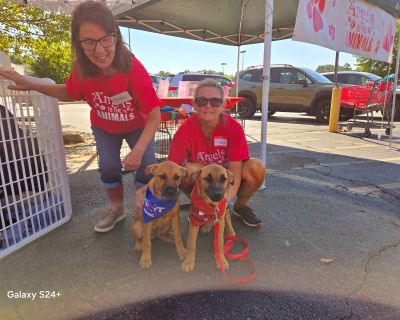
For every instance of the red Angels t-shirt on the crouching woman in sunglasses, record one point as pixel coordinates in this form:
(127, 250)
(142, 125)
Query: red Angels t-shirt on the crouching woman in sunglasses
(227, 144)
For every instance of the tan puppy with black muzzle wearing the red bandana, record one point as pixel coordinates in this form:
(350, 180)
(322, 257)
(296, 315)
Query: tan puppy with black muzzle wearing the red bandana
(208, 205)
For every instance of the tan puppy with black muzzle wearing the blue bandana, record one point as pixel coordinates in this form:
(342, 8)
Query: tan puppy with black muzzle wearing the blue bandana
(160, 210)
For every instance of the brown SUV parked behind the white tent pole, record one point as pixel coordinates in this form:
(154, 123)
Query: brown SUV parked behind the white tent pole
(292, 89)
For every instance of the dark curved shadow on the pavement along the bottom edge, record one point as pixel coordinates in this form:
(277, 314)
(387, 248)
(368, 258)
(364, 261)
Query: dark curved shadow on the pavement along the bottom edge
(241, 304)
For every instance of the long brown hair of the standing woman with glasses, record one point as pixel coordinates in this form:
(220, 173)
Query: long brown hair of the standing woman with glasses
(99, 14)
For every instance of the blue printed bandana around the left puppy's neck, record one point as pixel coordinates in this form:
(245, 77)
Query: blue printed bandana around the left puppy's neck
(155, 208)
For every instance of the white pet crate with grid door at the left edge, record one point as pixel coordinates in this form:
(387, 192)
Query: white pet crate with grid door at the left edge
(34, 188)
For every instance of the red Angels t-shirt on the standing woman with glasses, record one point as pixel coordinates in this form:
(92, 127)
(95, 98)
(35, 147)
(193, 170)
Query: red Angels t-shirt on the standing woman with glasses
(123, 116)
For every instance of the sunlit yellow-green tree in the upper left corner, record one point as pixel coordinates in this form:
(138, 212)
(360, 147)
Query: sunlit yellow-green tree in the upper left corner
(39, 39)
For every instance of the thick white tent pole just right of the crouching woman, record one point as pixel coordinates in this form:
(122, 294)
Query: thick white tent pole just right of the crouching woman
(269, 9)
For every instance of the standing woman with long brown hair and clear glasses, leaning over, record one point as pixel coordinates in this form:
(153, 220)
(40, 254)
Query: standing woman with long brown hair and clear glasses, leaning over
(119, 91)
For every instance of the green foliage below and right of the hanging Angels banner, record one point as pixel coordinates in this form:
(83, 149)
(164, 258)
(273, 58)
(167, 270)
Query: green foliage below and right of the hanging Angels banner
(377, 67)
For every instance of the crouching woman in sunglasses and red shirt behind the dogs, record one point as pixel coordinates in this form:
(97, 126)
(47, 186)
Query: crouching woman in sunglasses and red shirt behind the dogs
(213, 136)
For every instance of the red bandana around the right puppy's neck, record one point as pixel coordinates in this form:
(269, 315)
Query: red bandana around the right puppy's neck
(202, 212)
